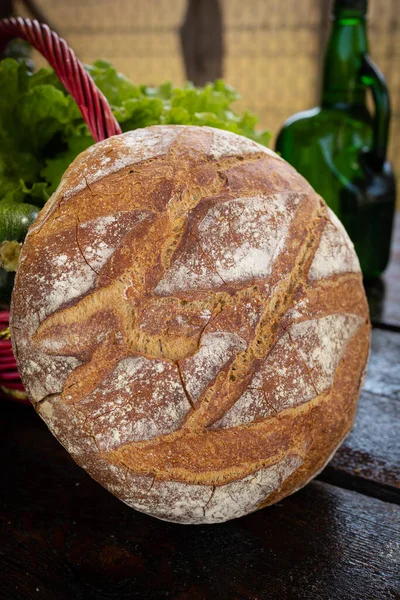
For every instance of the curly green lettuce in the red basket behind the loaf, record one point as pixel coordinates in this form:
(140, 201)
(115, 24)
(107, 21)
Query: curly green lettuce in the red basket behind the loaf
(42, 130)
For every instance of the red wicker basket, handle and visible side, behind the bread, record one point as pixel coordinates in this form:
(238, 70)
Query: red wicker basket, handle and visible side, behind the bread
(101, 122)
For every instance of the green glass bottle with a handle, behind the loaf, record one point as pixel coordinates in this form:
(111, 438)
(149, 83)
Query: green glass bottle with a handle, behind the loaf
(340, 148)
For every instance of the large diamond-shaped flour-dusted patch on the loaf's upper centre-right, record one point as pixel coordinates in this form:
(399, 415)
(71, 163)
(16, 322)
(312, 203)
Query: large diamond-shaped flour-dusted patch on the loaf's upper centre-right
(236, 241)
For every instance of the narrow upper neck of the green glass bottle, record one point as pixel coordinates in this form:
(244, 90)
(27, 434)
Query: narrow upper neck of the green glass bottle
(347, 45)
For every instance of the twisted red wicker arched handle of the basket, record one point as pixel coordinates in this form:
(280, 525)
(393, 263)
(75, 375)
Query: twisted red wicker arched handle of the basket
(91, 102)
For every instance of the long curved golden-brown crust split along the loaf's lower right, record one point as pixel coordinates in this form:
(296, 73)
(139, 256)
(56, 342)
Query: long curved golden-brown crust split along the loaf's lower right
(217, 456)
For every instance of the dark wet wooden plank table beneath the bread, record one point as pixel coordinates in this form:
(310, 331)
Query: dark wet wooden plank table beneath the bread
(64, 537)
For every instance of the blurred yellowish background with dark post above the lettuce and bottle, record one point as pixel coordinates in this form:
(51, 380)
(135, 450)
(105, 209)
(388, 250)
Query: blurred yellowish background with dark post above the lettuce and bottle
(269, 50)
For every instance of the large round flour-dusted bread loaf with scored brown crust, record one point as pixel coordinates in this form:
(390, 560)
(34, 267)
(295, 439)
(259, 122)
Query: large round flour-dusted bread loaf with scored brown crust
(189, 319)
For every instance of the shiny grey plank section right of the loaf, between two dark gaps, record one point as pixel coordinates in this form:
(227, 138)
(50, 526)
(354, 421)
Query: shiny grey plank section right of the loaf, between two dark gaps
(369, 459)
